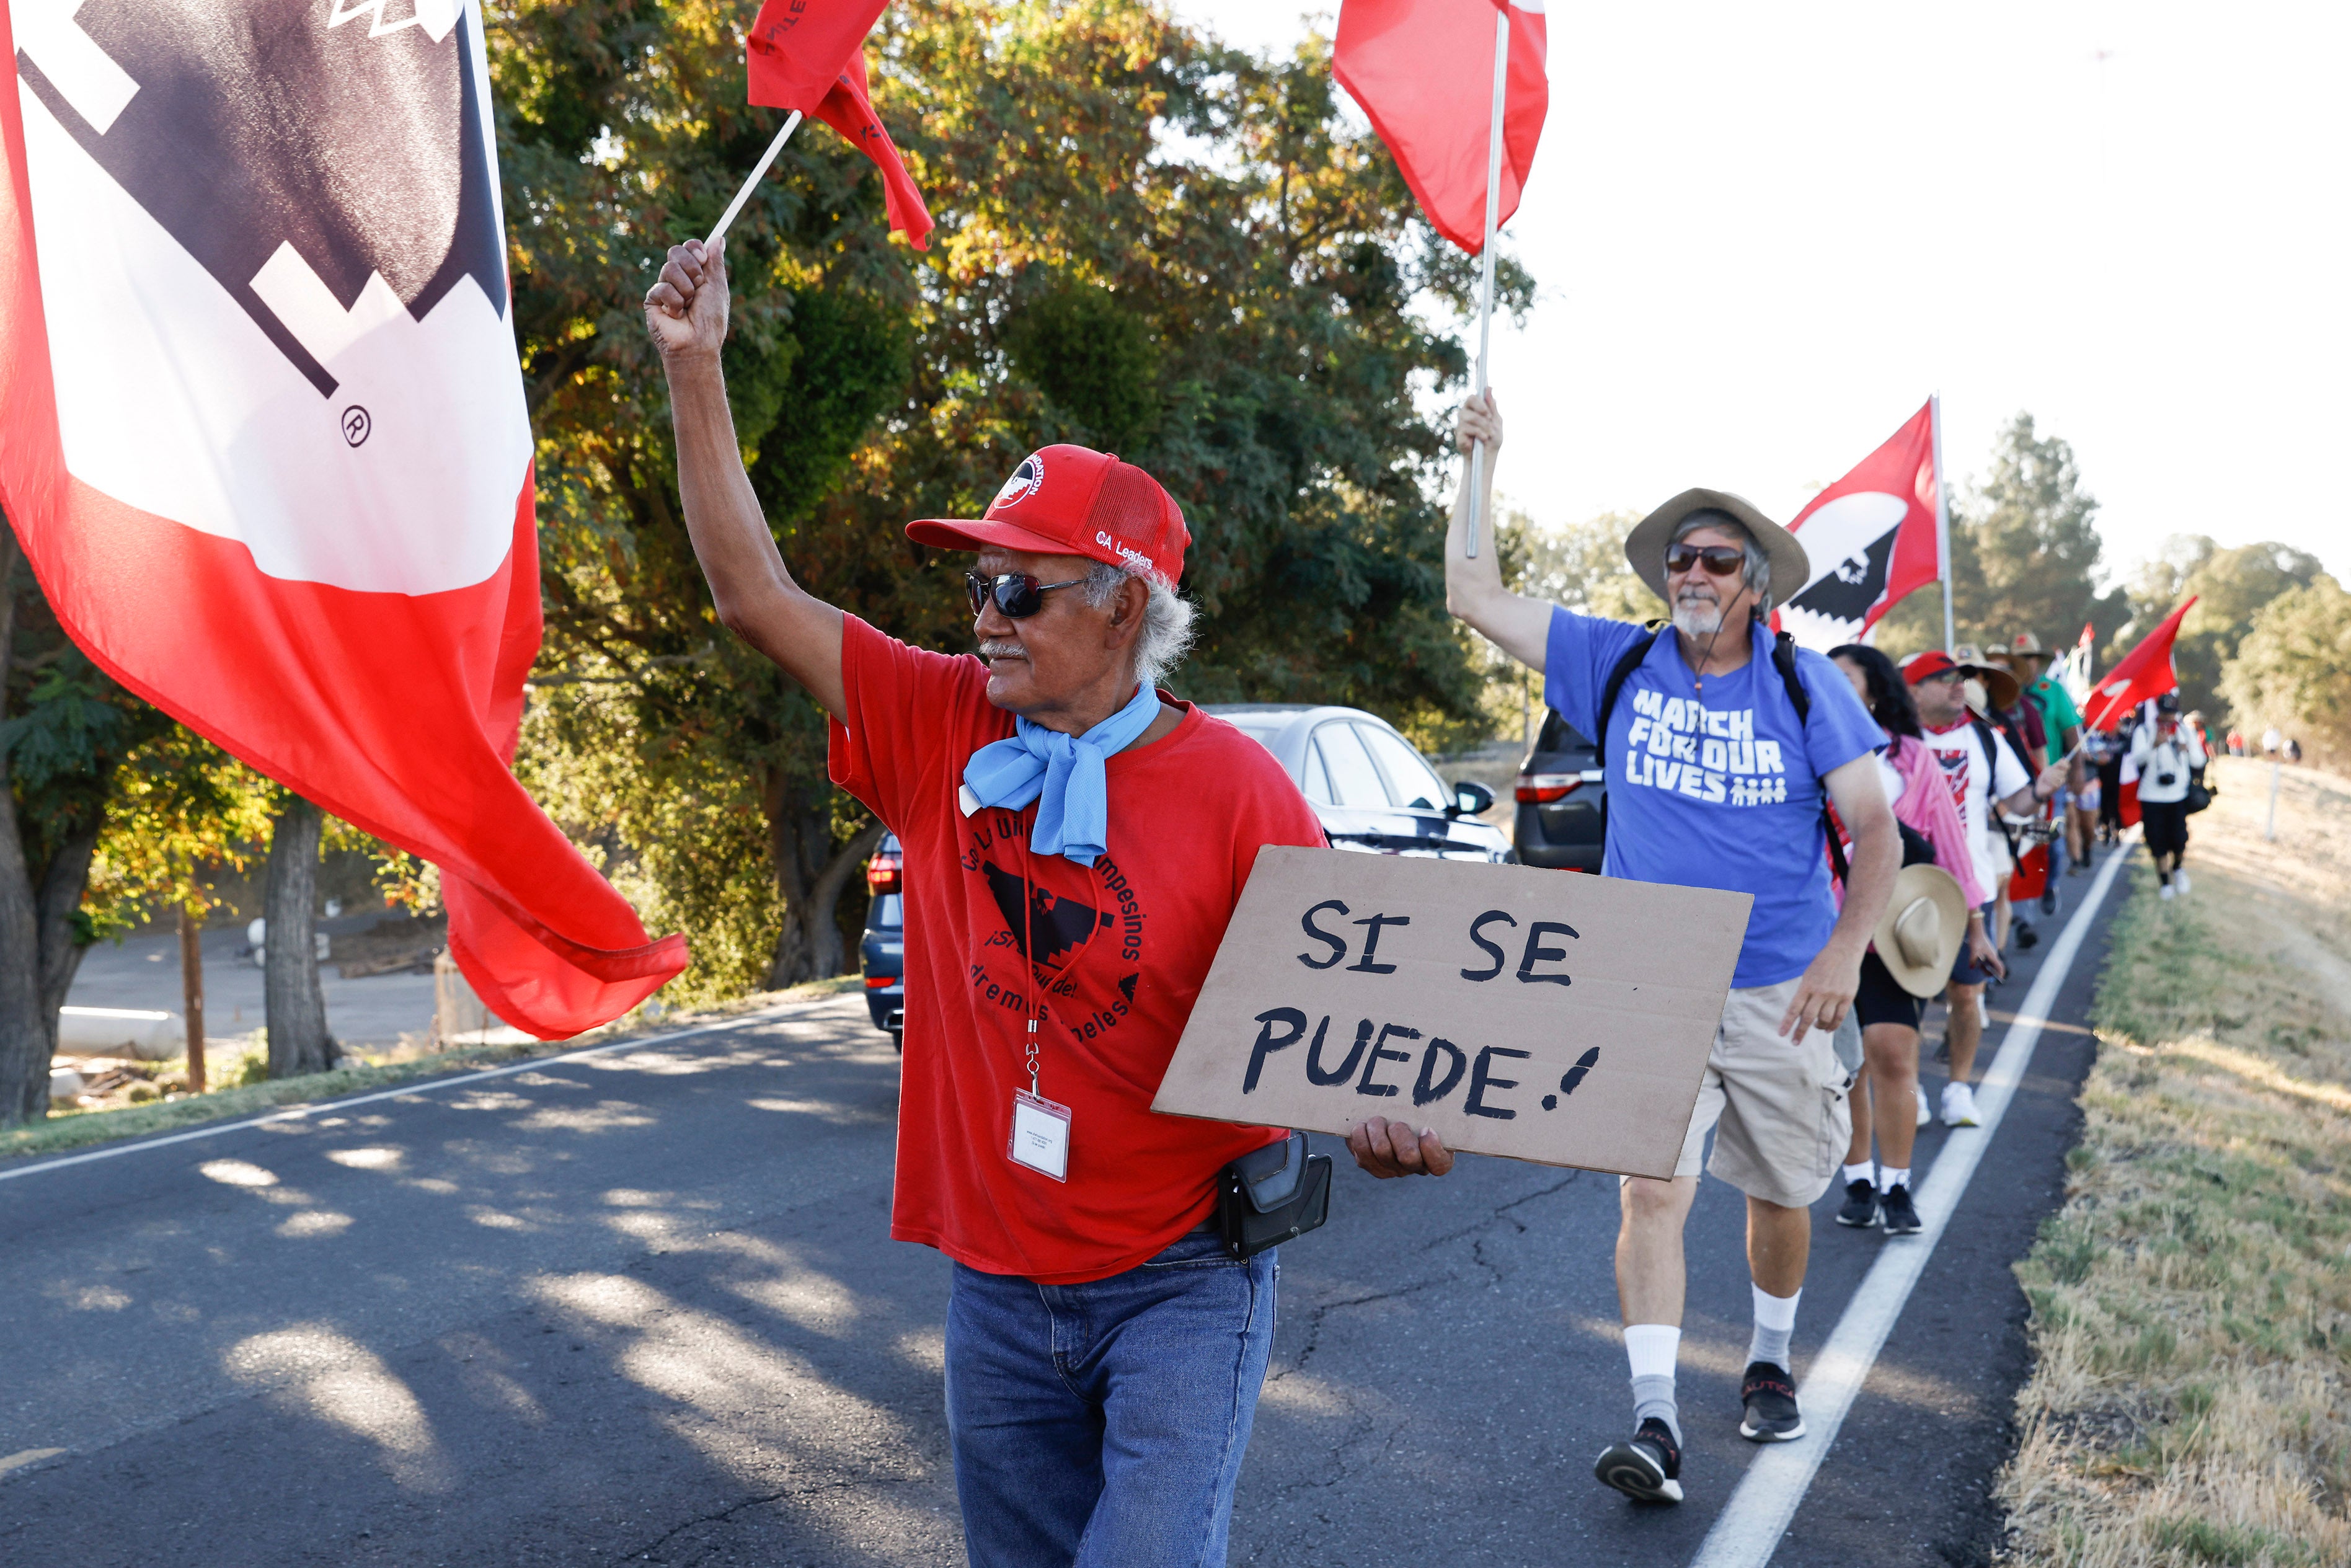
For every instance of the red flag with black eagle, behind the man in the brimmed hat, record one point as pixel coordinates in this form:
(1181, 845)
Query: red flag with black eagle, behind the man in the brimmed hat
(1870, 540)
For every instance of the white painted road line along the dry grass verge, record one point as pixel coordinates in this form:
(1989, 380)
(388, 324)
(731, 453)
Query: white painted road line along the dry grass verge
(1764, 1501)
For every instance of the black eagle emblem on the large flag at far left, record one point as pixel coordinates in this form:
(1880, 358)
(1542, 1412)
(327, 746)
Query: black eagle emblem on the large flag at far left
(297, 149)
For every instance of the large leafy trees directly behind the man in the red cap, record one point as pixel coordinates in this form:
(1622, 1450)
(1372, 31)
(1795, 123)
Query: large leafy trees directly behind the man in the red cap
(1146, 243)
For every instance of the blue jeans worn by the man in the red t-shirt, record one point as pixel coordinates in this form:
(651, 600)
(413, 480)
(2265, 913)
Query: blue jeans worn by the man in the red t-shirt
(1104, 1426)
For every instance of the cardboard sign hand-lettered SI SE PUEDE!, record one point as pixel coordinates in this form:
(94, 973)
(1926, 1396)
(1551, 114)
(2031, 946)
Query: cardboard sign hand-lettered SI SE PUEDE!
(1520, 1012)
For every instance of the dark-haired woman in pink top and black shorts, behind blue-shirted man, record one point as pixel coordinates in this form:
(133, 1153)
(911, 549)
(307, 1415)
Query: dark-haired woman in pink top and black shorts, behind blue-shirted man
(1889, 1097)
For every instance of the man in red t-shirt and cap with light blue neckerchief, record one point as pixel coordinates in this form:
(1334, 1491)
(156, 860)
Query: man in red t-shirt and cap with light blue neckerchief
(1076, 845)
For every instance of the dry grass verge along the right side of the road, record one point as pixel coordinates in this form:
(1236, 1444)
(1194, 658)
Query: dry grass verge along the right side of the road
(2192, 1301)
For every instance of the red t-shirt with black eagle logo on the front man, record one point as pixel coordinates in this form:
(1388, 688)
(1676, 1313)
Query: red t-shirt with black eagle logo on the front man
(1123, 951)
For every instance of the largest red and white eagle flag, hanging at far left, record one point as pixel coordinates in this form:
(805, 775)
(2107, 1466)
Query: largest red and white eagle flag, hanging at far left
(262, 434)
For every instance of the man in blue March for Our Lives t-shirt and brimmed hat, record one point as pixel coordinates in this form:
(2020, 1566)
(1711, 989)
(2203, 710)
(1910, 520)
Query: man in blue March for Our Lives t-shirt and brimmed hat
(1717, 782)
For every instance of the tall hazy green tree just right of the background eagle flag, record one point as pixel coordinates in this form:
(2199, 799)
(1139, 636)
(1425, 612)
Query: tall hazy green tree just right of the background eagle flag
(2025, 556)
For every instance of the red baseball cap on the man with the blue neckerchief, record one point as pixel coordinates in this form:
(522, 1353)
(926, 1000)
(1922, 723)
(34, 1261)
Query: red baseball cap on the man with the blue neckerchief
(1076, 502)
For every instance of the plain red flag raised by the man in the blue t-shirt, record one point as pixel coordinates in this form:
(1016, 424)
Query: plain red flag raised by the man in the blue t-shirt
(1424, 72)
